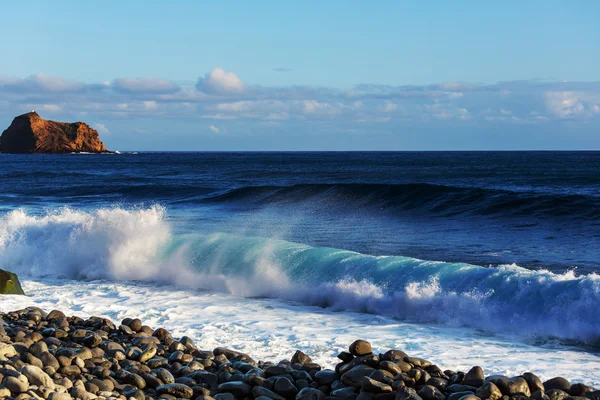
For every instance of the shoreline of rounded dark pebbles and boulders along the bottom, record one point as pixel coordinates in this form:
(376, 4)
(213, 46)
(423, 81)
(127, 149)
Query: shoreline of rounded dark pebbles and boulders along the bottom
(53, 356)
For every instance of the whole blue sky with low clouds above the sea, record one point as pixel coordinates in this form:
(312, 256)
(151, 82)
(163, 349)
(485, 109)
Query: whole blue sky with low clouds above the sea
(308, 75)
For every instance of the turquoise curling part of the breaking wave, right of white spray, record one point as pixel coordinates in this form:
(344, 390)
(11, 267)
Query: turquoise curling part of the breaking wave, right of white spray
(505, 298)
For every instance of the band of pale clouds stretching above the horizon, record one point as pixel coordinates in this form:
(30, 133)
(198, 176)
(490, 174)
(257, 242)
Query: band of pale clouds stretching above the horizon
(221, 103)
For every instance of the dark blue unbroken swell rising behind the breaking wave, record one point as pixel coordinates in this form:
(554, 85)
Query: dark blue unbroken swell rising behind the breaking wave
(422, 197)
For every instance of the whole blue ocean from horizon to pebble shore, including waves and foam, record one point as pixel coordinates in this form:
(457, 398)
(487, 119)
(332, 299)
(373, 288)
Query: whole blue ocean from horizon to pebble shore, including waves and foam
(464, 258)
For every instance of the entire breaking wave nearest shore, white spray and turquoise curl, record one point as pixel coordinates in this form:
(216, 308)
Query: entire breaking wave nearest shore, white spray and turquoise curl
(138, 244)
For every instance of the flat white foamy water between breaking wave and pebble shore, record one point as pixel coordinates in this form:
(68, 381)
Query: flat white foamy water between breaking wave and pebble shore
(270, 329)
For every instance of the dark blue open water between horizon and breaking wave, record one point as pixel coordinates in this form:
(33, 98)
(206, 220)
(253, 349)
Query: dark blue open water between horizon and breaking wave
(535, 209)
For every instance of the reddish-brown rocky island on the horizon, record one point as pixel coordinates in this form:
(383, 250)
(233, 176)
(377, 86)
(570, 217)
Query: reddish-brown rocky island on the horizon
(29, 133)
